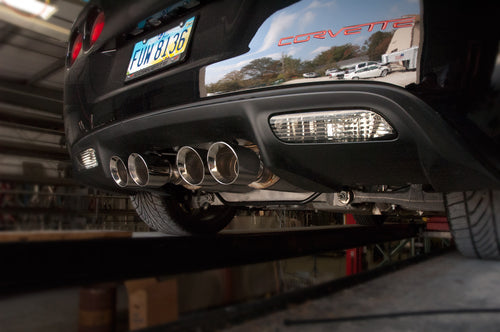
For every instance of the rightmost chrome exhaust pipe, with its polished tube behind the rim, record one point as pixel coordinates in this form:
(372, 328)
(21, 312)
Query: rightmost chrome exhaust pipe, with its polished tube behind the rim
(233, 164)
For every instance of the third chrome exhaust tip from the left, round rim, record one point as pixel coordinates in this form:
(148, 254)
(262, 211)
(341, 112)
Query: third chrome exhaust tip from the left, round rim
(190, 166)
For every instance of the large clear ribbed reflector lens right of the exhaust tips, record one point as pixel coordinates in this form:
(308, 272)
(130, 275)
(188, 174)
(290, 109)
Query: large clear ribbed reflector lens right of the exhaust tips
(331, 127)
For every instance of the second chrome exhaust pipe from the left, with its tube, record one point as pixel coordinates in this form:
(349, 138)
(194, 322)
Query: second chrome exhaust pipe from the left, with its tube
(154, 173)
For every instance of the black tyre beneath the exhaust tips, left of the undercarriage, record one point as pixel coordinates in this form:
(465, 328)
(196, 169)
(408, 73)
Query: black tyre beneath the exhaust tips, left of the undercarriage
(177, 216)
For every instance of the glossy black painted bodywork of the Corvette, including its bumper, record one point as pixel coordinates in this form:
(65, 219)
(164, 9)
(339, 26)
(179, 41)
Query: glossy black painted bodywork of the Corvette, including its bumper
(442, 138)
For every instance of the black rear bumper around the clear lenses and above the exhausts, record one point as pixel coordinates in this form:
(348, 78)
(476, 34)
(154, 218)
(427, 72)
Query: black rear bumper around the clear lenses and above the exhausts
(426, 150)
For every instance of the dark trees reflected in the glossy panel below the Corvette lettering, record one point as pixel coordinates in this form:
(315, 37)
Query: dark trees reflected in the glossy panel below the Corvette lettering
(266, 71)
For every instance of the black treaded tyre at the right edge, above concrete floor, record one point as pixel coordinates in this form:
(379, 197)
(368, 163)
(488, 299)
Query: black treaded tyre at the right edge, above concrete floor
(474, 218)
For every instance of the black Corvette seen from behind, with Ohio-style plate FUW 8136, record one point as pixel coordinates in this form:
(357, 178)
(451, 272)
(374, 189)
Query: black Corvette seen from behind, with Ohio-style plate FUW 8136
(196, 108)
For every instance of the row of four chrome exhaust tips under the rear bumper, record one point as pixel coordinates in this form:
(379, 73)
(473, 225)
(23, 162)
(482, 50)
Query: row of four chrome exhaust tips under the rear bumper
(225, 165)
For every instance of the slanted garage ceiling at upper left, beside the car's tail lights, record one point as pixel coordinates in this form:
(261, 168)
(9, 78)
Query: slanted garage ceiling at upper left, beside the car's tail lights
(32, 56)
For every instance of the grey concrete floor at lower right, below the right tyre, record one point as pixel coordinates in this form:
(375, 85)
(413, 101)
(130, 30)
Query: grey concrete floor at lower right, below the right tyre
(449, 282)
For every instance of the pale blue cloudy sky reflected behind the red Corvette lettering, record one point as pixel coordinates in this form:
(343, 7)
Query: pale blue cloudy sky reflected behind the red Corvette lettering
(310, 16)
